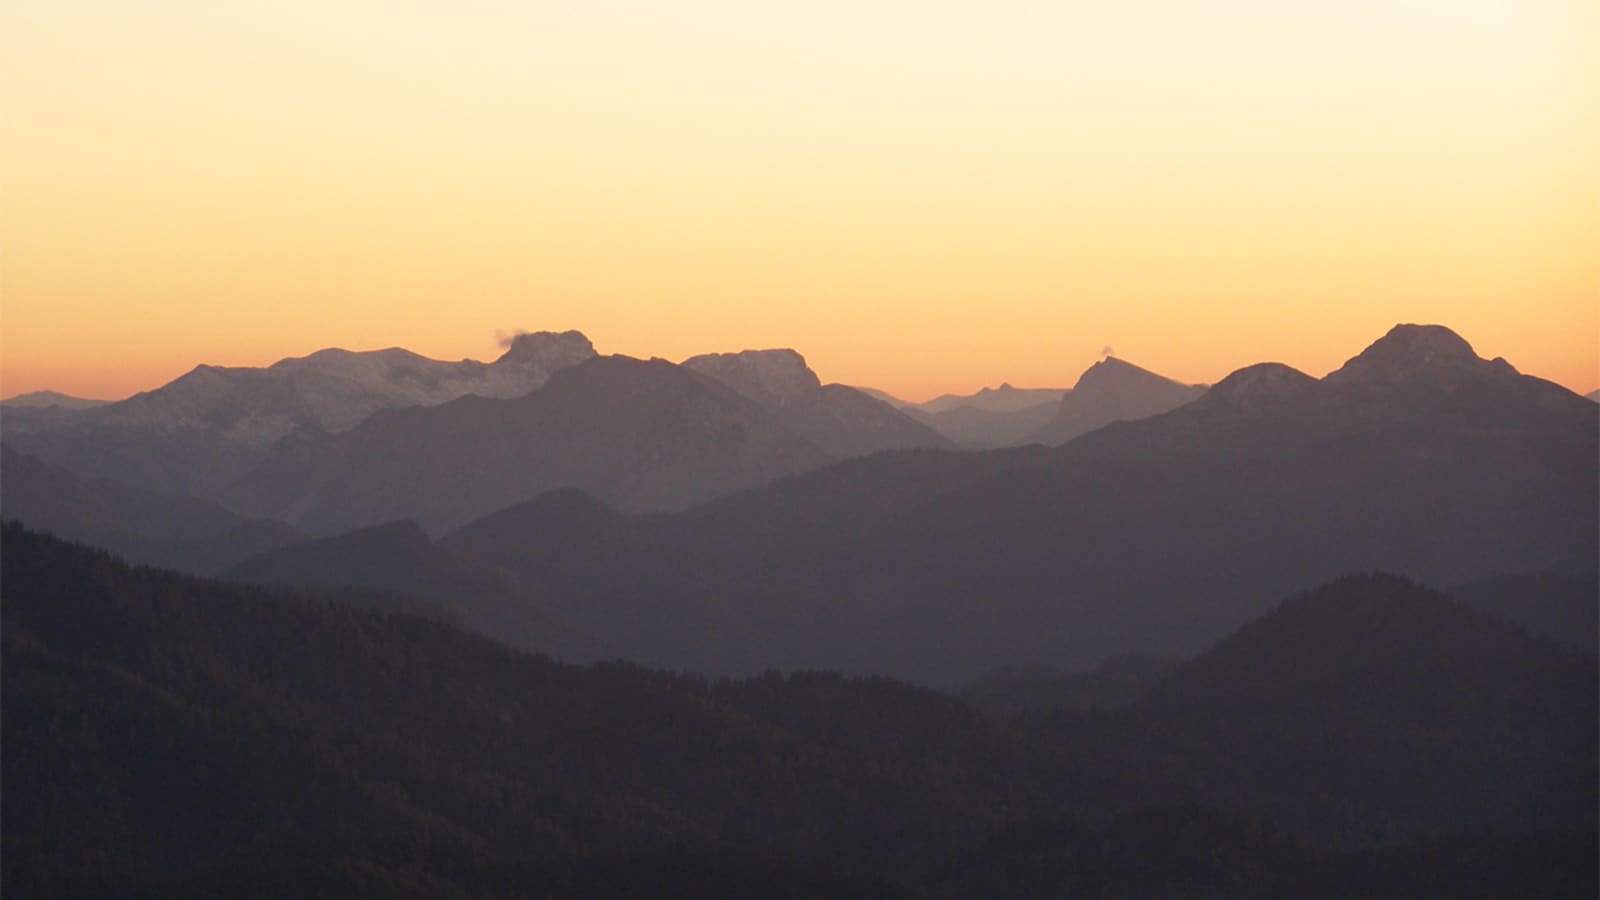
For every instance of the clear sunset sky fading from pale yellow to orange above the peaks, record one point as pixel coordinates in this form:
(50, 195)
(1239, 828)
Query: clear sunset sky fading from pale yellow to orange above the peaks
(918, 196)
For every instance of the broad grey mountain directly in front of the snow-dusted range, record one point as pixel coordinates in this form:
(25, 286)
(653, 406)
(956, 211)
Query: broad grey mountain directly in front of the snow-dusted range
(636, 435)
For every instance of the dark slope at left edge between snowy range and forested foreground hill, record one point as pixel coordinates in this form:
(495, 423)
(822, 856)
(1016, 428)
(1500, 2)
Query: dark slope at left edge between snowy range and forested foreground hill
(175, 532)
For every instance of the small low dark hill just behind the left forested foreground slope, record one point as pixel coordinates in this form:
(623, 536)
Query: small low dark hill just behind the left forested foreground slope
(399, 558)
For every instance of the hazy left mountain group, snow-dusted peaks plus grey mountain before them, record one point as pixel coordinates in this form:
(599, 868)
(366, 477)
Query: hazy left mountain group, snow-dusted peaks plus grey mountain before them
(340, 440)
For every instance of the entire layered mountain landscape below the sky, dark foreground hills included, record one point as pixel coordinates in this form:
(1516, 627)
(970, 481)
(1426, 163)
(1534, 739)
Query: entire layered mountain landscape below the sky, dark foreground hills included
(604, 627)
